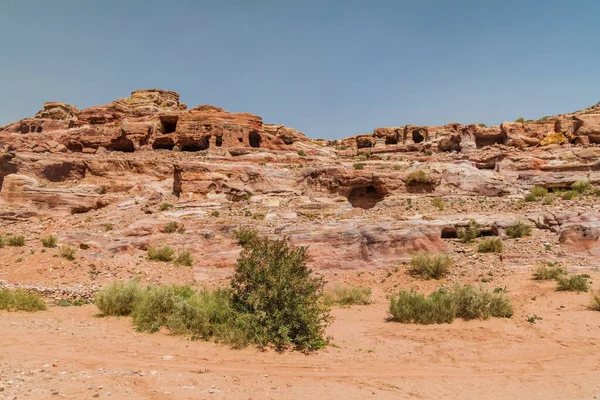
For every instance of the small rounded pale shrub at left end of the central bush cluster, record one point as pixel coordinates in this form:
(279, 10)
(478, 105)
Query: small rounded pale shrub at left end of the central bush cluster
(118, 298)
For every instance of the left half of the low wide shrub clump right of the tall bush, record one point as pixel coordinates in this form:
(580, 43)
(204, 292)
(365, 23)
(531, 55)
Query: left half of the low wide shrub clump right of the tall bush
(411, 307)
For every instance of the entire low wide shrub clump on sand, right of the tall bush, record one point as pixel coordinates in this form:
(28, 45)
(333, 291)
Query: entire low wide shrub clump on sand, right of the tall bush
(445, 304)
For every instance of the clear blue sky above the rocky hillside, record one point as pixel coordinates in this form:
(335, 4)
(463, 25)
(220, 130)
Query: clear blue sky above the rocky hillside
(330, 68)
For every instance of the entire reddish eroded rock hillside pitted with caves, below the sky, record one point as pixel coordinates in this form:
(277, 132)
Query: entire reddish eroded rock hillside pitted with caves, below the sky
(146, 161)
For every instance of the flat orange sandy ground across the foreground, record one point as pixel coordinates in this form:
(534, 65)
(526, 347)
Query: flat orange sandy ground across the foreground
(68, 352)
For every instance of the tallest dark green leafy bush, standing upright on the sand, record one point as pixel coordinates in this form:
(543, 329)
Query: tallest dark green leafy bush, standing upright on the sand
(273, 284)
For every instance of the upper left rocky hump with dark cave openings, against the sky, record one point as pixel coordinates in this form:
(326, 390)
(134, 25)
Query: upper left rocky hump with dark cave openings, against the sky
(151, 117)
